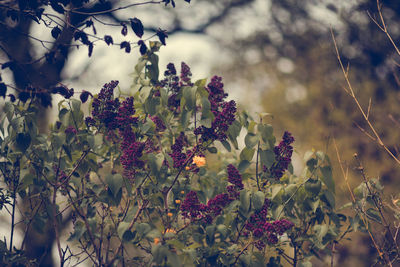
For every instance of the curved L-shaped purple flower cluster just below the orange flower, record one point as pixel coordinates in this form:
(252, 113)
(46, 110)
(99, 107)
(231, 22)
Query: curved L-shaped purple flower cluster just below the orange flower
(192, 209)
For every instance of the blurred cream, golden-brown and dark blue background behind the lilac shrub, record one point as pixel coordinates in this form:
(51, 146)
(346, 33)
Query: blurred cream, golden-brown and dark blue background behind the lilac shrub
(276, 56)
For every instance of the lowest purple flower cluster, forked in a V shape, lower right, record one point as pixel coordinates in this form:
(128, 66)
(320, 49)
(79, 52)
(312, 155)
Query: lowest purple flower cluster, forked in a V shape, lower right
(260, 227)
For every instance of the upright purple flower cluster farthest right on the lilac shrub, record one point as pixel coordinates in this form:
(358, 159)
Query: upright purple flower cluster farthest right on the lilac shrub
(283, 156)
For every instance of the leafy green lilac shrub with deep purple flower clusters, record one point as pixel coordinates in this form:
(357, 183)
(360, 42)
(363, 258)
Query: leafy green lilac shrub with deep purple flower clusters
(158, 178)
